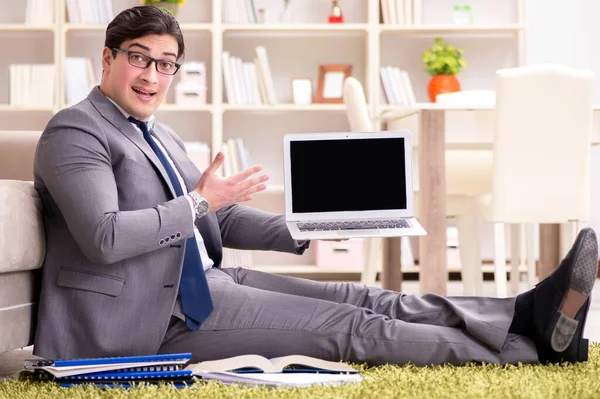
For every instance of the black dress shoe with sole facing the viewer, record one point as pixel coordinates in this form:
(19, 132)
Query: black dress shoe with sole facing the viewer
(561, 303)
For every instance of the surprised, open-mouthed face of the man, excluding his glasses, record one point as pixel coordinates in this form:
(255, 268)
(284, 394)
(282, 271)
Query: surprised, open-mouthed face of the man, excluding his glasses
(139, 91)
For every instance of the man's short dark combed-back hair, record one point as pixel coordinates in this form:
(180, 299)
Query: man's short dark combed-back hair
(142, 21)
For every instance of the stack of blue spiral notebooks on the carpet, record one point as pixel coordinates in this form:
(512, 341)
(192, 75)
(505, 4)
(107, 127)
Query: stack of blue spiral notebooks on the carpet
(112, 371)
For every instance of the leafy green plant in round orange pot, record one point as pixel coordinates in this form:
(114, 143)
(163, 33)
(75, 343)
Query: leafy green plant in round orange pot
(443, 62)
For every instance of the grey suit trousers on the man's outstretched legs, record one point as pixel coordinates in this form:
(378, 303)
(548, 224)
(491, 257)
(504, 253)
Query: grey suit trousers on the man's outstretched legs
(270, 315)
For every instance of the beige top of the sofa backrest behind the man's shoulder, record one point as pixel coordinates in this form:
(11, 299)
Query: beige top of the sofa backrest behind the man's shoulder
(17, 151)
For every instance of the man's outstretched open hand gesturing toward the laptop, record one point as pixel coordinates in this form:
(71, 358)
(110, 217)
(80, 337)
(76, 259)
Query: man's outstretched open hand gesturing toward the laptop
(223, 191)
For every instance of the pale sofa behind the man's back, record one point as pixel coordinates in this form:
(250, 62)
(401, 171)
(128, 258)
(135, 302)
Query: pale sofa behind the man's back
(22, 240)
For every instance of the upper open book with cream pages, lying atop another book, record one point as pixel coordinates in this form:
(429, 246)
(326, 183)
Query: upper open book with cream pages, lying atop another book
(286, 364)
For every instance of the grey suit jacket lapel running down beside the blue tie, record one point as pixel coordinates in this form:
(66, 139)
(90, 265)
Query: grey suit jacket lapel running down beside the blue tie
(117, 119)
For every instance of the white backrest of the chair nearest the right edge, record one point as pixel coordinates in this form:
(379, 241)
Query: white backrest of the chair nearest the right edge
(542, 144)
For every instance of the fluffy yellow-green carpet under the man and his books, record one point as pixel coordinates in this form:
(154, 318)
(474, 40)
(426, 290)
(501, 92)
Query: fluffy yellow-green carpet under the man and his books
(472, 381)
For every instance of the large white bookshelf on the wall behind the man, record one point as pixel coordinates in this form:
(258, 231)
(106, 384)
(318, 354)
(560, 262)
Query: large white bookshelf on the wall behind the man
(495, 40)
